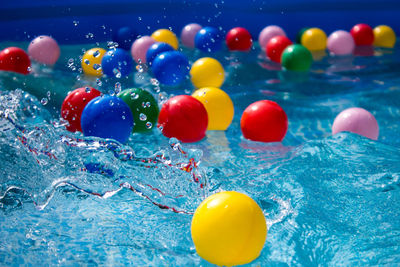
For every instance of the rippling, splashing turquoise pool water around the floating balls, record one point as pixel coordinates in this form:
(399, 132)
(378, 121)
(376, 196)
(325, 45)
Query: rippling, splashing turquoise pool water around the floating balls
(328, 200)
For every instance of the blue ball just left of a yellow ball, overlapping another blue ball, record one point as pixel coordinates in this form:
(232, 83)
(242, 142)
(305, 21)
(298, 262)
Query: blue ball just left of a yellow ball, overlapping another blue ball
(170, 67)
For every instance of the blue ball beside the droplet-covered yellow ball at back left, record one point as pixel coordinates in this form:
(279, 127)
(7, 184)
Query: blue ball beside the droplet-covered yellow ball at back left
(117, 63)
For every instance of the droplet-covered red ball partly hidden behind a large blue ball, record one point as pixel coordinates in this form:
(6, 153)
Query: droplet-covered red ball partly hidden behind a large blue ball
(73, 105)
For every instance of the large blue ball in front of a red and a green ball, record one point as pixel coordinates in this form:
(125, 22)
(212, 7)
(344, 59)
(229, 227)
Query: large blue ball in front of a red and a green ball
(107, 117)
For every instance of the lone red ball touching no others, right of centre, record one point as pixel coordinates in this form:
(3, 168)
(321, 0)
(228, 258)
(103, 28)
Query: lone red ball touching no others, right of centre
(264, 121)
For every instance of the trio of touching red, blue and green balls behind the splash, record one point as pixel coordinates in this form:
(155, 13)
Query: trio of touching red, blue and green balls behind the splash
(109, 116)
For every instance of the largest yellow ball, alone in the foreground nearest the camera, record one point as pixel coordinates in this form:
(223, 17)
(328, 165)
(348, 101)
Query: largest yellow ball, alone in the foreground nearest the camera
(229, 228)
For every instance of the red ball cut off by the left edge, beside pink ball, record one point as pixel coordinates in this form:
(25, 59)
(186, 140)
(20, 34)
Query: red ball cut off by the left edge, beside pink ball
(15, 59)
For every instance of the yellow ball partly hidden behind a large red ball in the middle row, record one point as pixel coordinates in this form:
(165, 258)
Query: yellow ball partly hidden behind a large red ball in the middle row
(219, 107)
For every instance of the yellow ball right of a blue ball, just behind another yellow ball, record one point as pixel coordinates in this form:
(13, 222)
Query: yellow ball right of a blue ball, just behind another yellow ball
(207, 71)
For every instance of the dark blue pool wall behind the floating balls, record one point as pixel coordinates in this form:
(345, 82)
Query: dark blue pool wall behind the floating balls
(86, 21)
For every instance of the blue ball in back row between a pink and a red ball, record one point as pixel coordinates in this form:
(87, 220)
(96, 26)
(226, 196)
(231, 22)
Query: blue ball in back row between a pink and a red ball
(208, 39)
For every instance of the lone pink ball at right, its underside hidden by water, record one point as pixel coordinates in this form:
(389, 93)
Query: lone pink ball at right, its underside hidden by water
(356, 120)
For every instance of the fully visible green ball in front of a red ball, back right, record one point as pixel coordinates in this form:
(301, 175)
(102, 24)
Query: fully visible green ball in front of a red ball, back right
(296, 58)
